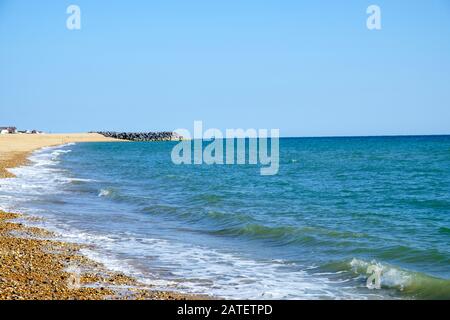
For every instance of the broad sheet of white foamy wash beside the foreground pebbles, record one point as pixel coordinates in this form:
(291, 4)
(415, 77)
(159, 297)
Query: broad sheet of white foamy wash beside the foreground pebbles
(200, 269)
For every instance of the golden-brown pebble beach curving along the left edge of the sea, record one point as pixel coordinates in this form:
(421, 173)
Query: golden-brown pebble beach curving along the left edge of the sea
(35, 266)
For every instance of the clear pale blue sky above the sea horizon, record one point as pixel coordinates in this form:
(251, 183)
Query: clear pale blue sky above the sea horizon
(309, 68)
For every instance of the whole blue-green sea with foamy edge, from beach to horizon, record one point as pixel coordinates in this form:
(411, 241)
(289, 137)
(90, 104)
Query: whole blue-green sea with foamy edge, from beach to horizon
(337, 206)
